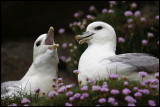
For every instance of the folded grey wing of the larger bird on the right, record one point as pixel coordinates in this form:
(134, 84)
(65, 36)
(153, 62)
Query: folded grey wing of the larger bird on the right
(141, 61)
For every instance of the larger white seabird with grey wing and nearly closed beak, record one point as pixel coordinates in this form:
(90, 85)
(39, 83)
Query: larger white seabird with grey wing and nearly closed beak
(99, 59)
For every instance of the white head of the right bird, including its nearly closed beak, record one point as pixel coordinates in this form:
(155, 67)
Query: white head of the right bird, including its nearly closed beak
(98, 33)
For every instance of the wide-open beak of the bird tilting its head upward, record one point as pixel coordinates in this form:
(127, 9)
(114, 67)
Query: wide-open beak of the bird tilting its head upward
(50, 39)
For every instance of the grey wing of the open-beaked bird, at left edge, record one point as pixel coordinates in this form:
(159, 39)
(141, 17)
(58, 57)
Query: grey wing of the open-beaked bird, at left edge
(7, 84)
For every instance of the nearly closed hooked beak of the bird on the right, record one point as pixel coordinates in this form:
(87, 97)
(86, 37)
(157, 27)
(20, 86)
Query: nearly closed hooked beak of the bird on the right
(86, 36)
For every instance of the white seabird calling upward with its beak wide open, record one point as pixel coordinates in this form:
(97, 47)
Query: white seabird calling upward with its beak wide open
(42, 70)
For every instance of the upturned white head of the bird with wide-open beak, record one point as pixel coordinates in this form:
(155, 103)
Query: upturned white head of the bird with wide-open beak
(45, 48)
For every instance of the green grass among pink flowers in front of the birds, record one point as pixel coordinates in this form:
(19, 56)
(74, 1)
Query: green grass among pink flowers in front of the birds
(61, 99)
